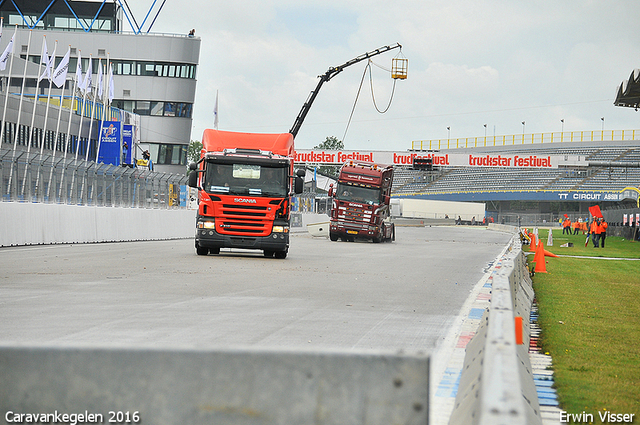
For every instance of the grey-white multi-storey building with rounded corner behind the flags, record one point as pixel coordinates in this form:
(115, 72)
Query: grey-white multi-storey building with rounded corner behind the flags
(154, 75)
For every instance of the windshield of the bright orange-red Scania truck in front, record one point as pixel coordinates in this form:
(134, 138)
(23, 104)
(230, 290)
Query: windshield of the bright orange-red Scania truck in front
(246, 179)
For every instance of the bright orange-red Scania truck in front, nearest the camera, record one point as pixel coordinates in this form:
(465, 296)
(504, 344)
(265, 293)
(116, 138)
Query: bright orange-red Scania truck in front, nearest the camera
(245, 182)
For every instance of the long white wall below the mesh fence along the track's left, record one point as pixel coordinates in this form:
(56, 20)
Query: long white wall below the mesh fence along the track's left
(34, 223)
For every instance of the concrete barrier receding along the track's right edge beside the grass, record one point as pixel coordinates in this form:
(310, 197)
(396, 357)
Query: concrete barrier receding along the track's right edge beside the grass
(496, 386)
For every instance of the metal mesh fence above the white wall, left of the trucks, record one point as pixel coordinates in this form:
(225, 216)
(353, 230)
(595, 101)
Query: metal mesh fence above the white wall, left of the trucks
(31, 177)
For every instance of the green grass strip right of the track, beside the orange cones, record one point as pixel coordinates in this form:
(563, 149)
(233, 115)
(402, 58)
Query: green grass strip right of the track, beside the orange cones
(589, 312)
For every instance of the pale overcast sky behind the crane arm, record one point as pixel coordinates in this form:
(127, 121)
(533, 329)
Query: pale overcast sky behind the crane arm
(471, 63)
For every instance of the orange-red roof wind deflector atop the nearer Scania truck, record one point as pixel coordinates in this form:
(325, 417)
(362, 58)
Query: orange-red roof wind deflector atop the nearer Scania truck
(218, 141)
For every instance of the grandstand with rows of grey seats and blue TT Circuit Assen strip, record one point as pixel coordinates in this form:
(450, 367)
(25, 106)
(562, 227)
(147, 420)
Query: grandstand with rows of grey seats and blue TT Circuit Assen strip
(610, 169)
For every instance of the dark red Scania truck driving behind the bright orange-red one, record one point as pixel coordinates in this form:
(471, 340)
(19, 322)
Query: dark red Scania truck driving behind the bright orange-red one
(360, 207)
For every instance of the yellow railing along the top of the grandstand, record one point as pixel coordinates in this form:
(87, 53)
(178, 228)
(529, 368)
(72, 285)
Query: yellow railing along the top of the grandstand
(523, 139)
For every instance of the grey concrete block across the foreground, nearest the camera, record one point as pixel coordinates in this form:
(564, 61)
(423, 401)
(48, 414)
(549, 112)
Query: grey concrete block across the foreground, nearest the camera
(234, 386)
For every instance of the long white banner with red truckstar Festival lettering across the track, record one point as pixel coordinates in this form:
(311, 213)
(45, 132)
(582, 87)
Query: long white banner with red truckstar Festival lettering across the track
(330, 157)
